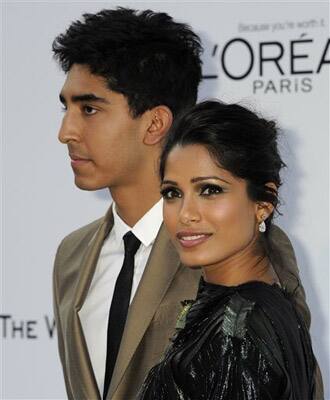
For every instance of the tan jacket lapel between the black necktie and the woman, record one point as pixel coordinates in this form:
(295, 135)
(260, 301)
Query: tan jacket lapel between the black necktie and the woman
(159, 272)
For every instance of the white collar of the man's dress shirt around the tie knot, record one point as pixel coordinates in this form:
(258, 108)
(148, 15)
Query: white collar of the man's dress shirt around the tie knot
(145, 229)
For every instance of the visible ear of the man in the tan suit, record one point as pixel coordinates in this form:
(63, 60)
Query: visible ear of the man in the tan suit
(160, 119)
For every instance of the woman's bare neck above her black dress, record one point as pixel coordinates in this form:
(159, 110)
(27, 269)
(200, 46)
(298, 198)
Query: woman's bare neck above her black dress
(249, 264)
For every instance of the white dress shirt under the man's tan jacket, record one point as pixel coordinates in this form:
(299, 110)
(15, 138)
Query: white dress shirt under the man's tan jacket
(94, 313)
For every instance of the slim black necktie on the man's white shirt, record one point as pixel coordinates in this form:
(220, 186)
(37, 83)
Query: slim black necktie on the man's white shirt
(119, 306)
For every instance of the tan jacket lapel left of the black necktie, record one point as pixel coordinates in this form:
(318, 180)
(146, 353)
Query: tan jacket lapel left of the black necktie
(84, 377)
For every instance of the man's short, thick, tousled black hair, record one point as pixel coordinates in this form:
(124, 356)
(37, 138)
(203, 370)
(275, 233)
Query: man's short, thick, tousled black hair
(149, 58)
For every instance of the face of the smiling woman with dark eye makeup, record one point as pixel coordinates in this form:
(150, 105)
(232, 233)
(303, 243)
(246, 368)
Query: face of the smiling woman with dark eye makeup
(207, 211)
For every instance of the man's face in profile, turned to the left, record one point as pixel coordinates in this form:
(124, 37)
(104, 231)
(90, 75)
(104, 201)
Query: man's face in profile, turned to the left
(105, 142)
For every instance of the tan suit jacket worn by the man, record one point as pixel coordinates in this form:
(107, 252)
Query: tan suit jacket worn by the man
(152, 314)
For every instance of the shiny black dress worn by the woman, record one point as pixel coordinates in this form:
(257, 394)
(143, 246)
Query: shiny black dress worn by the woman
(238, 343)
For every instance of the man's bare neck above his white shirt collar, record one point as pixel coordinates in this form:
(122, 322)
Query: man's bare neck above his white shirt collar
(132, 203)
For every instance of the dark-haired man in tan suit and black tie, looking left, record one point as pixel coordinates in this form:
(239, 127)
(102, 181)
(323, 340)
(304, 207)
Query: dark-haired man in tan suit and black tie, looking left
(128, 75)
